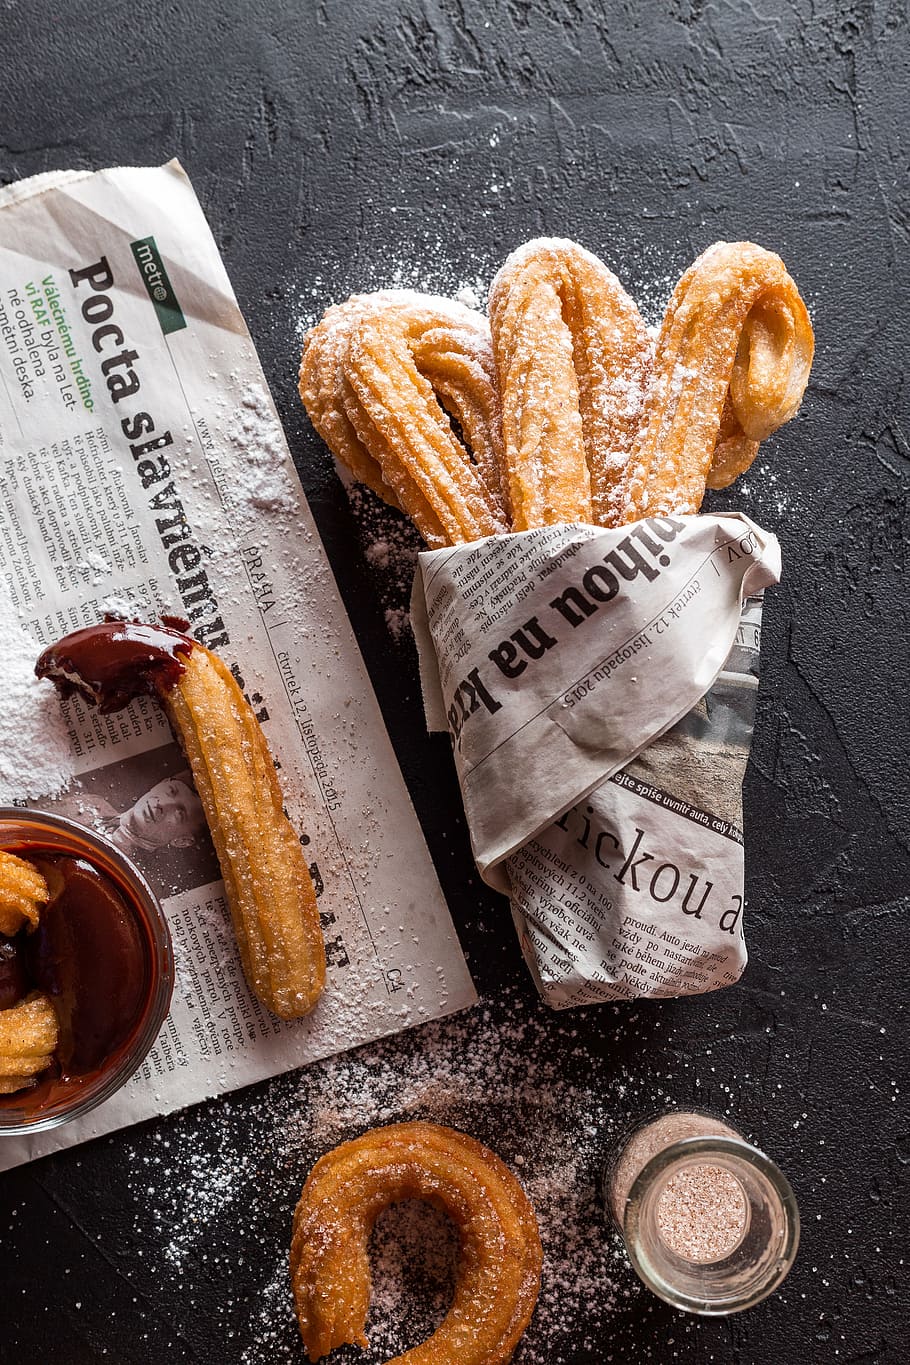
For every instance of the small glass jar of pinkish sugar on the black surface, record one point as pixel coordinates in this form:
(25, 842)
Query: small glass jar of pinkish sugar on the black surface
(710, 1224)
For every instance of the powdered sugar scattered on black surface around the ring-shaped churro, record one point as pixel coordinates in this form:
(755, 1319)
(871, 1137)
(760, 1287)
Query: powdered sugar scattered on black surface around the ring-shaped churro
(507, 1072)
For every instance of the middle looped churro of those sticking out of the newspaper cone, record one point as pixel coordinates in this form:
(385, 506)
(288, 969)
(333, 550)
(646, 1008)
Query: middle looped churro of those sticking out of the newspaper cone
(574, 360)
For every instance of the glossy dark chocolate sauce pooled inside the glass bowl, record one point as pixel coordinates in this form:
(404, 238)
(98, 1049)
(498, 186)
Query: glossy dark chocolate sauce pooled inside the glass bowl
(89, 958)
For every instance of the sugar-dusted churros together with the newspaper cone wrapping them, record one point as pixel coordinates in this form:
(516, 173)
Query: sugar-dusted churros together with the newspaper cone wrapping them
(587, 640)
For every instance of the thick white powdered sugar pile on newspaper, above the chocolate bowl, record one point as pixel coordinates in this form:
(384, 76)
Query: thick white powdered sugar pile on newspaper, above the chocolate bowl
(36, 758)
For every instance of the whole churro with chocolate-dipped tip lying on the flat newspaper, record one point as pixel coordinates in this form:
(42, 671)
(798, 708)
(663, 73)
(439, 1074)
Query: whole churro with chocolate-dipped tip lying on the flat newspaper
(267, 878)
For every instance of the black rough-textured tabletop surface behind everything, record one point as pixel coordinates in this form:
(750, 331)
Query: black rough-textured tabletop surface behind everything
(325, 140)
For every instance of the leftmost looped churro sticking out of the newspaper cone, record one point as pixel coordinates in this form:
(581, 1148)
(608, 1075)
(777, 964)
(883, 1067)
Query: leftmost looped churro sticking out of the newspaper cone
(381, 377)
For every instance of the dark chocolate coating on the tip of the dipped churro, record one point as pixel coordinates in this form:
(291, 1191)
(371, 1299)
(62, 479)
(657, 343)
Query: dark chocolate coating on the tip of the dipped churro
(115, 661)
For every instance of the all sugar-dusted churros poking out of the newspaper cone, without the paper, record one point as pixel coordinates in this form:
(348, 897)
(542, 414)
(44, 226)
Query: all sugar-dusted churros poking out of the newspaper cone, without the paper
(561, 407)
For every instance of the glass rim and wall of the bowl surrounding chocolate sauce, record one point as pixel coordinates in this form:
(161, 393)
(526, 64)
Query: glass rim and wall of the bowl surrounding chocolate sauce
(57, 1101)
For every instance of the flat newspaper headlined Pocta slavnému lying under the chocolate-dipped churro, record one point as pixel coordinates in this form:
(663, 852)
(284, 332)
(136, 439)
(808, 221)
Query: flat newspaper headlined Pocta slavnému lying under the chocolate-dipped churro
(144, 470)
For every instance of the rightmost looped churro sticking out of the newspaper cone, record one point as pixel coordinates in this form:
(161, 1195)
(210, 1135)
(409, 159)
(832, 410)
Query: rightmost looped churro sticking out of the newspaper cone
(732, 365)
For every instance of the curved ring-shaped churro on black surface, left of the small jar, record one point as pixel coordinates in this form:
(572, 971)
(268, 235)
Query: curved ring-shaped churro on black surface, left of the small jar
(500, 1263)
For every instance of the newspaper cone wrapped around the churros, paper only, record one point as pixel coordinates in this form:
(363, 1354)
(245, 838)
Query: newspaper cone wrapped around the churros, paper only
(600, 691)
